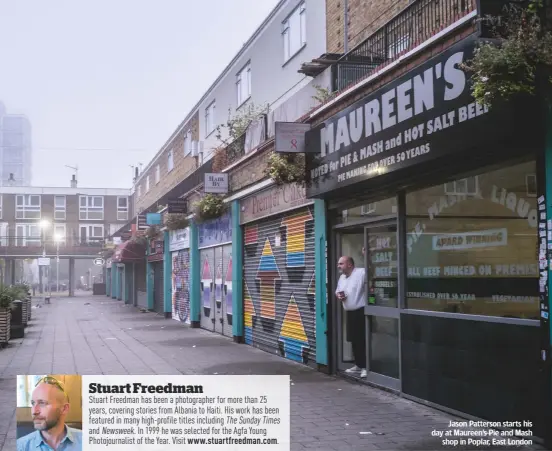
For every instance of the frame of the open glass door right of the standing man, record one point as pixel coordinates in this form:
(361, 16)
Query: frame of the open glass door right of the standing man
(381, 311)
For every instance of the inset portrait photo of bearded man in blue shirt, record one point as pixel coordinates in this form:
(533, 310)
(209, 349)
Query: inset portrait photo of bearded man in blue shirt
(49, 412)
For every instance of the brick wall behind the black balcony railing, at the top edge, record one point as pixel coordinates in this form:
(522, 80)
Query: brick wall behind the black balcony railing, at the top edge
(364, 18)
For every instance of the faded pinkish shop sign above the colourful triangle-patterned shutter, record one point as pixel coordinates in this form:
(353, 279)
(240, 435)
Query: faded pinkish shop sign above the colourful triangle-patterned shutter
(274, 200)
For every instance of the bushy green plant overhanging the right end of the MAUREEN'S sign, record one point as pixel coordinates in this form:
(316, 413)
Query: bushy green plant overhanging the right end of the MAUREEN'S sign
(509, 68)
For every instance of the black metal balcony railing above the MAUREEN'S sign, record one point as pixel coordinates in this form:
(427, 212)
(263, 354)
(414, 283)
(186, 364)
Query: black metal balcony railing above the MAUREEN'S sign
(415, 24)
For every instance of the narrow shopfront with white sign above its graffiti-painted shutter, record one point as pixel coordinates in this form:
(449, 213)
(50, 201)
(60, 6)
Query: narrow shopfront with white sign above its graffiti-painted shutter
(180, 256)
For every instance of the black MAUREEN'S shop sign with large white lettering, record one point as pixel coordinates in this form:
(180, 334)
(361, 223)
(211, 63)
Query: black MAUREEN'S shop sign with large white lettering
(424, 114)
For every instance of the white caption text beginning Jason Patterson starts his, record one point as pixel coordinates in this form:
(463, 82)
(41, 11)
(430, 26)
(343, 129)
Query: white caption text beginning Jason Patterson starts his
(486, 433)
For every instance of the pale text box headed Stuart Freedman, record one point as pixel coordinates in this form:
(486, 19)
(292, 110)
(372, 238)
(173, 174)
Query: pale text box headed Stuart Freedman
(191, 412)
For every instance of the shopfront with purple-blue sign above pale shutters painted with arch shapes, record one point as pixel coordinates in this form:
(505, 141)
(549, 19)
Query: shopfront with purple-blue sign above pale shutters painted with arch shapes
(215, 253)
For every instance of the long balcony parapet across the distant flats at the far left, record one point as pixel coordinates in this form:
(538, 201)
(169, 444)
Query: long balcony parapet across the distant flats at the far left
(32, 248)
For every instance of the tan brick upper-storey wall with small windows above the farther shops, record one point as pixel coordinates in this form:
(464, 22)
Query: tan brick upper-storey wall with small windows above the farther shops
(183, 167)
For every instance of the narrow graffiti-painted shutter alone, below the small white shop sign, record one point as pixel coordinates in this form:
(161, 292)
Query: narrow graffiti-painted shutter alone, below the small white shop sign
(181, 285)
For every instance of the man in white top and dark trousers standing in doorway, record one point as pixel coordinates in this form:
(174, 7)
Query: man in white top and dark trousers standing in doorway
(351, 291)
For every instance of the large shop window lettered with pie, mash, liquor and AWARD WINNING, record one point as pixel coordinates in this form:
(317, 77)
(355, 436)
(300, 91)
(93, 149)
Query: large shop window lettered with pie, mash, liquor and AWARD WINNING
(475, 254)
